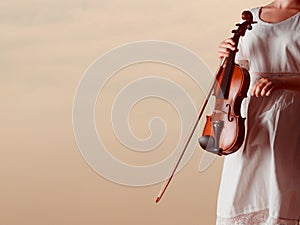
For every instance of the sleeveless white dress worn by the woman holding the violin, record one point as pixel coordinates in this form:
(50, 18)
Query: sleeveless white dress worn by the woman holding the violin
(261, 181)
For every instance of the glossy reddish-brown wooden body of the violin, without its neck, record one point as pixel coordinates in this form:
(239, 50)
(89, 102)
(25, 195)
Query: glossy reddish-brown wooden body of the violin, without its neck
(224, 129)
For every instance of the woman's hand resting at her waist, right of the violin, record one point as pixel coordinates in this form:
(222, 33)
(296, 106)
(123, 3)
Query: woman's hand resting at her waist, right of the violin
(265, 86)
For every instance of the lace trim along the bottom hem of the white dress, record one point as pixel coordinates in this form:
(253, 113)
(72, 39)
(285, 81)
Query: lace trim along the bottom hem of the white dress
(255, 218)
